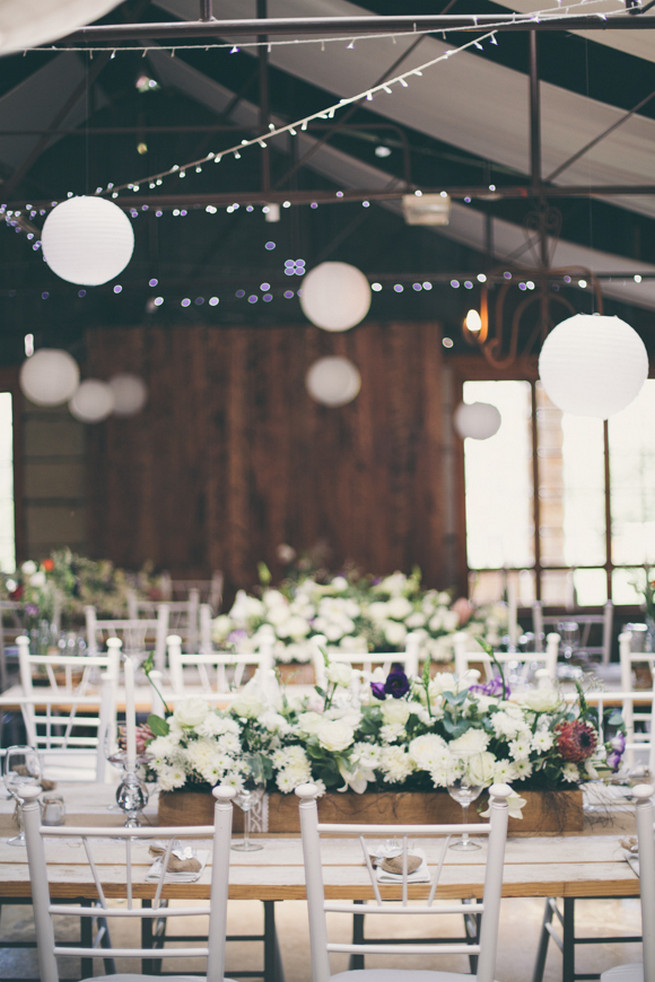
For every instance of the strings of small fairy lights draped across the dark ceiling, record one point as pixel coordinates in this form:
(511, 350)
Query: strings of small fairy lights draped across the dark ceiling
(21, 218)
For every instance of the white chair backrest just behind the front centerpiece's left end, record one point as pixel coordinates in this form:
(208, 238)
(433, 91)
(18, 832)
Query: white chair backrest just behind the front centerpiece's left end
(217, 673)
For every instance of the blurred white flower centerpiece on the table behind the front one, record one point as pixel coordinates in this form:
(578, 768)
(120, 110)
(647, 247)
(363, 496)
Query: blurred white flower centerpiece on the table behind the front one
(353, 611)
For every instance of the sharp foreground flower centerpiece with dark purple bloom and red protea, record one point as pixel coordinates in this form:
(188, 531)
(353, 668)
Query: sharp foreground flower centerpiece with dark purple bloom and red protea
(395, 734)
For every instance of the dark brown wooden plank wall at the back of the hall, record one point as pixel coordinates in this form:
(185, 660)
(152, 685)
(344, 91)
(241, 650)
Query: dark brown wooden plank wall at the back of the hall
(232, 457)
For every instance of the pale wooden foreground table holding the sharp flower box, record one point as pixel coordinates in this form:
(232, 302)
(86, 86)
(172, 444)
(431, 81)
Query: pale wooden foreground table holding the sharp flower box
(591, 864)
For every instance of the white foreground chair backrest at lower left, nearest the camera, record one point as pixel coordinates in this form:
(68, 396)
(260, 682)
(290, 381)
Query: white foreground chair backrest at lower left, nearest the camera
(118, 863)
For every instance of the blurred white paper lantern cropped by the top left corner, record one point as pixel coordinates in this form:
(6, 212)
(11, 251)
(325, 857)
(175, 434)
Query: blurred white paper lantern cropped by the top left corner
(26, 23)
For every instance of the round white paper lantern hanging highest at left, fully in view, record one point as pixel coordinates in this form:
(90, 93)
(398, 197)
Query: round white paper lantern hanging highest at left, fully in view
(87, 240)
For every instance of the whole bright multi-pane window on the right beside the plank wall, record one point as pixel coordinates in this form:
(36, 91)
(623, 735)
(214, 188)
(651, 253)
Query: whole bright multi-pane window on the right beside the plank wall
(567, 500)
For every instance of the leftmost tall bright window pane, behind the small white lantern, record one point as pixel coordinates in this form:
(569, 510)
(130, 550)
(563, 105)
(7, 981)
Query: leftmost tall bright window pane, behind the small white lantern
(498, 474)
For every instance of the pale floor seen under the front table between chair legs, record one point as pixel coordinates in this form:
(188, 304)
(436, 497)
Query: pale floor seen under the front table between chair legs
(519, 933)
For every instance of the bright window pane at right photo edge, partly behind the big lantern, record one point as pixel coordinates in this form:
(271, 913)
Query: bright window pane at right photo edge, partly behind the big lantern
(632, 452)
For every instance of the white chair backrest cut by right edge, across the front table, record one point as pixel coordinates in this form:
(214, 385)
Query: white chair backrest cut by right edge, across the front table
(637, 707)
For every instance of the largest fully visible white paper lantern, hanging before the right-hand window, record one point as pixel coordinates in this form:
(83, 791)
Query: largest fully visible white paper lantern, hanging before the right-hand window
(591, 365)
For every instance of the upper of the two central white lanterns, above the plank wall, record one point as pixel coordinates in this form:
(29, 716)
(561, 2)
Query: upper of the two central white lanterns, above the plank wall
(335, 296)
